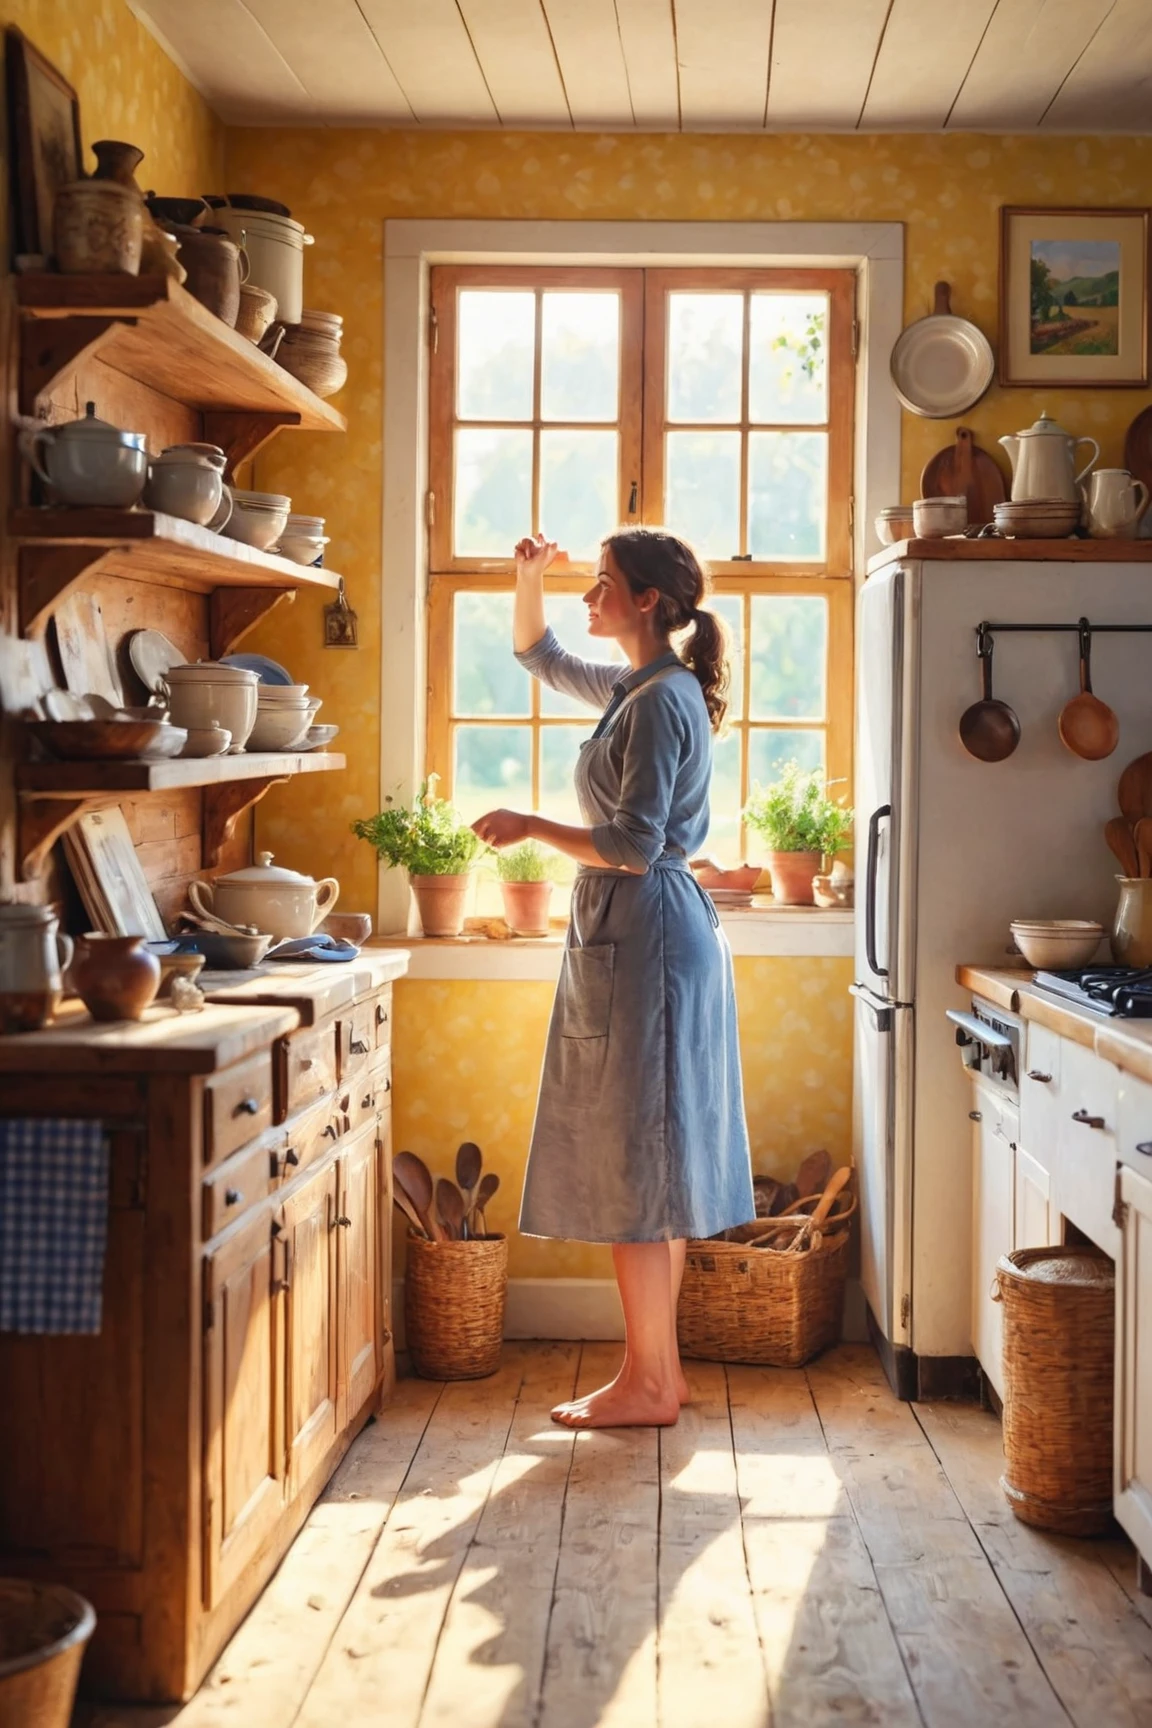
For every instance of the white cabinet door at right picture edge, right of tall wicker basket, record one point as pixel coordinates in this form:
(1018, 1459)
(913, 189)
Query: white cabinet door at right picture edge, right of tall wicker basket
(1134, 1361)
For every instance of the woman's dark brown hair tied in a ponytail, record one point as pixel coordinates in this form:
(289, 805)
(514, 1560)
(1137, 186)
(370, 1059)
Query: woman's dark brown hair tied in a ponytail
(652, 559)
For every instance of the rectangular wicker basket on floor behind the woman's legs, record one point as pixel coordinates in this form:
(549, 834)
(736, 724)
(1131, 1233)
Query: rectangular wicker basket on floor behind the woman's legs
(744, 1304)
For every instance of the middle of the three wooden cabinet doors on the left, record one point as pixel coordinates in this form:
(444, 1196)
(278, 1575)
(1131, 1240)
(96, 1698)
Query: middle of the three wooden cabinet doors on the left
(310, 1233)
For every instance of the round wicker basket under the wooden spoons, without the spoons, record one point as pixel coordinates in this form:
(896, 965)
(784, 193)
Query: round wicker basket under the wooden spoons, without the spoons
(455, 1307)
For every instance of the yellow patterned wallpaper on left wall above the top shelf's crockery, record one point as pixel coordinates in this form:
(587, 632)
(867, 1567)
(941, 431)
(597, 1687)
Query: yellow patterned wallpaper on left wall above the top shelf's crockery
(129, 89)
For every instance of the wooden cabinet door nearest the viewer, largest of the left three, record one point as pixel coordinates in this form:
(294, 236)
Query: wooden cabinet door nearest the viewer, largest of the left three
(244, 1477)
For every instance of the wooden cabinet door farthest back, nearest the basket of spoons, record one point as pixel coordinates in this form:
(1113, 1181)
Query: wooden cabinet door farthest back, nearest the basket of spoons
(358, 1229)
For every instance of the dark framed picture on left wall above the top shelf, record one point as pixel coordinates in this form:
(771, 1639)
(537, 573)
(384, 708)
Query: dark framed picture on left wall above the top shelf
(44, 137)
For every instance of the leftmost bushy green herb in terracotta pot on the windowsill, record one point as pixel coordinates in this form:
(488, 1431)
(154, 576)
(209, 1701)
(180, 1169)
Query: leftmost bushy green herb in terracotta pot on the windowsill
(431, 841)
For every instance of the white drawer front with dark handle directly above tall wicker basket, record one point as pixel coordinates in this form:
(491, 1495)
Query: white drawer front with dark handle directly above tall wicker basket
(1087, 1145)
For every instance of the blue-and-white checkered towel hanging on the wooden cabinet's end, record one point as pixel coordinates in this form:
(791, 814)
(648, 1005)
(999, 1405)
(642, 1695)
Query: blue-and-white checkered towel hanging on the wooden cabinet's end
(54, 1214)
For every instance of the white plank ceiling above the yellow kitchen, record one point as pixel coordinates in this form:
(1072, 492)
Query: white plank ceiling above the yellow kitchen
(669, 65)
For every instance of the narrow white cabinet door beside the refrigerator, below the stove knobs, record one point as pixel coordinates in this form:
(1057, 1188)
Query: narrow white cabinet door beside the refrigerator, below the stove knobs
(996, 1126)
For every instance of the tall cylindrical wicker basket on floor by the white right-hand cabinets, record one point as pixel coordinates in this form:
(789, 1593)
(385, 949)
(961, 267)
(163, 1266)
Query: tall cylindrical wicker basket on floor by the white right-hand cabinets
(1058, 1387)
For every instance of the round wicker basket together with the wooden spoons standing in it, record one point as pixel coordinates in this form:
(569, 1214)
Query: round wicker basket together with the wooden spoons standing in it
(457, 1280)
